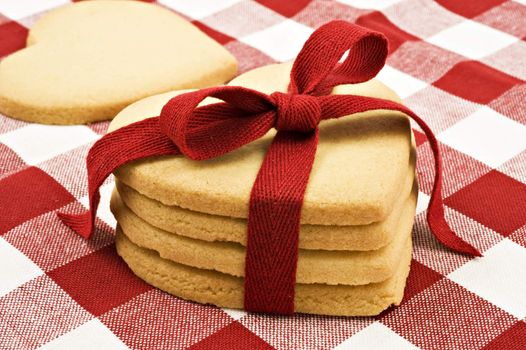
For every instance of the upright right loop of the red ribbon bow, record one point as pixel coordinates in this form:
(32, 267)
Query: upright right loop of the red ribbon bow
(316, 74)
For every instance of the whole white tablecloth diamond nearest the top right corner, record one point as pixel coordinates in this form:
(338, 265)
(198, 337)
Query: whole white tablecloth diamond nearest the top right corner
(472, 39)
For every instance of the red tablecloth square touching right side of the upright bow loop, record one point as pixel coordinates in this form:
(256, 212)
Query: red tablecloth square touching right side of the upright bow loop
(377, 21)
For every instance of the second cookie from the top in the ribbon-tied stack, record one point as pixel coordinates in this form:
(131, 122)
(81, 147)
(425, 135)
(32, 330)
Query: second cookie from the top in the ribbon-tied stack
(211, 228)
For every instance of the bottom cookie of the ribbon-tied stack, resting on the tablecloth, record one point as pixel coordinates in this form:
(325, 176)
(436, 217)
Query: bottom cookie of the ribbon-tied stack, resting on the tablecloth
(211, 287)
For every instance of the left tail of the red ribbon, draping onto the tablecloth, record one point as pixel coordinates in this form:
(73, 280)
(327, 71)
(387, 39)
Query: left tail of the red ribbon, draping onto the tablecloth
(135, 141)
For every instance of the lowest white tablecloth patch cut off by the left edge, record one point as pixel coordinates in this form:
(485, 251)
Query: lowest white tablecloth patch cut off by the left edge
(16, 268)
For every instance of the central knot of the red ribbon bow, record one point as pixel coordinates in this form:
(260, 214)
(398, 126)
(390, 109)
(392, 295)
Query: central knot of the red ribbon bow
(296, 112)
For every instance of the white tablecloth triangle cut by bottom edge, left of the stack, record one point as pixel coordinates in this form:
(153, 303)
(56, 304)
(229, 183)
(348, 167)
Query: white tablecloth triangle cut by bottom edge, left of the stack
(91, 335)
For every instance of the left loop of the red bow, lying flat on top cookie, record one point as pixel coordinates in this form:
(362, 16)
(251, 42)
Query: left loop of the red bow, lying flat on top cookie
(215, 129)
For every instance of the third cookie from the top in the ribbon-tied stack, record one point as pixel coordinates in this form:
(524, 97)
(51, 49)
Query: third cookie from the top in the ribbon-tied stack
(314, 266)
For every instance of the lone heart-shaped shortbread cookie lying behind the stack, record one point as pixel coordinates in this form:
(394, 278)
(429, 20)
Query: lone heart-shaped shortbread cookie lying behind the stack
(86, 61)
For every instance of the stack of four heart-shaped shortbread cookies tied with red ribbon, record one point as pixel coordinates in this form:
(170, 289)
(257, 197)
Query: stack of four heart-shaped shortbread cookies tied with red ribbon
(182, 224)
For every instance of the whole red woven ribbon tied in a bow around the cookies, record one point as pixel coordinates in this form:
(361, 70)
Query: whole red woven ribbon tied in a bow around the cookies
(246, 115)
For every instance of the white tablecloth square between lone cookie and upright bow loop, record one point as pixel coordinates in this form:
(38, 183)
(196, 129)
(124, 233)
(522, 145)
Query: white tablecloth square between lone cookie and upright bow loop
(282, 41)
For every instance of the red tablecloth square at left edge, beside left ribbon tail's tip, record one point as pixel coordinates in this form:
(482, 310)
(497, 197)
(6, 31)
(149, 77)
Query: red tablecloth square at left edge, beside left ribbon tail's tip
(29, 193)
